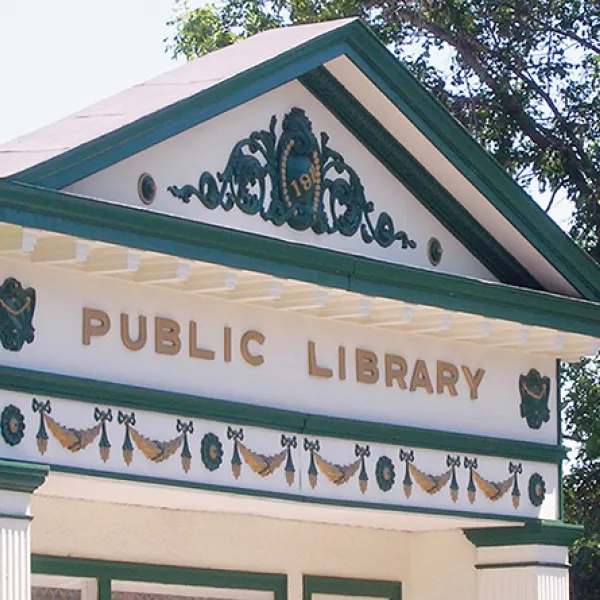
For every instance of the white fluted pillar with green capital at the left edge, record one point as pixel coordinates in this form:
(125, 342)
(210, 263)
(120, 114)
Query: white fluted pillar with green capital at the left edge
(17, 483)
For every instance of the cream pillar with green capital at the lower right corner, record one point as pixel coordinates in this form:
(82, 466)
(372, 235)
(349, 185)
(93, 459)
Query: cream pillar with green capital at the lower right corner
(523, 563)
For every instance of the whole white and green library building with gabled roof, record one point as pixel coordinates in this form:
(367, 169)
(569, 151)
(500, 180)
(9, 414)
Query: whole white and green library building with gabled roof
(274, 327)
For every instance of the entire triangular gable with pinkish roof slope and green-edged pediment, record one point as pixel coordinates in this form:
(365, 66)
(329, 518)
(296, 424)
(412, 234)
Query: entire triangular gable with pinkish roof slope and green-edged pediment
(407, 184)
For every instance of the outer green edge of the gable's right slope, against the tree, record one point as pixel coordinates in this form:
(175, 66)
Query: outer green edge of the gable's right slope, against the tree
(475, 163)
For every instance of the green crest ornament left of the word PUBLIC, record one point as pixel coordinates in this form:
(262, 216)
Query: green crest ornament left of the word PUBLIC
(17, 306)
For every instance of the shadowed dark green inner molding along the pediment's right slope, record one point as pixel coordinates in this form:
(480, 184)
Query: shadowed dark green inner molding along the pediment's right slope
(428, 191)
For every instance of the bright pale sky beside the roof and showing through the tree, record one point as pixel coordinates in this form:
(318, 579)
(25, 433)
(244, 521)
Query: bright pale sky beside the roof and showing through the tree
(59, 56)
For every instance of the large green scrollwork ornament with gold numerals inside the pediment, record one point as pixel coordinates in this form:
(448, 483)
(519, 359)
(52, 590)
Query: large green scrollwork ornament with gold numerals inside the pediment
(311, 186)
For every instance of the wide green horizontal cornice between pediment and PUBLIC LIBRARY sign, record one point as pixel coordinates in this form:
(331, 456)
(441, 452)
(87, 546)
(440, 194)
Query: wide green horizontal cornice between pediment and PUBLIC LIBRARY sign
(137, 228)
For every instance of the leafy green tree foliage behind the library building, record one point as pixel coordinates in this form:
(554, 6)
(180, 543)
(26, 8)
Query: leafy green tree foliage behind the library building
(524, 78)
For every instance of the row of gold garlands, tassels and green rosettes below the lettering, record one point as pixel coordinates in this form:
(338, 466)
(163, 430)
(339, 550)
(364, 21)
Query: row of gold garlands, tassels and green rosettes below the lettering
(359, 464)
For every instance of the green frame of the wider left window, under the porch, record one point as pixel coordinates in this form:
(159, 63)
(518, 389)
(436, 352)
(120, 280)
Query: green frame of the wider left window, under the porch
(126, 571)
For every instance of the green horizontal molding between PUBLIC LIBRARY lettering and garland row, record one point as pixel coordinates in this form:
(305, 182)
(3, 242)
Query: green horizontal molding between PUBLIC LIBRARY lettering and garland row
(189, 406)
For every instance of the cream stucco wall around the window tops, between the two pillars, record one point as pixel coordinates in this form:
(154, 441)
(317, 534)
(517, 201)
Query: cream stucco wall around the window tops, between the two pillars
(431, 566)
